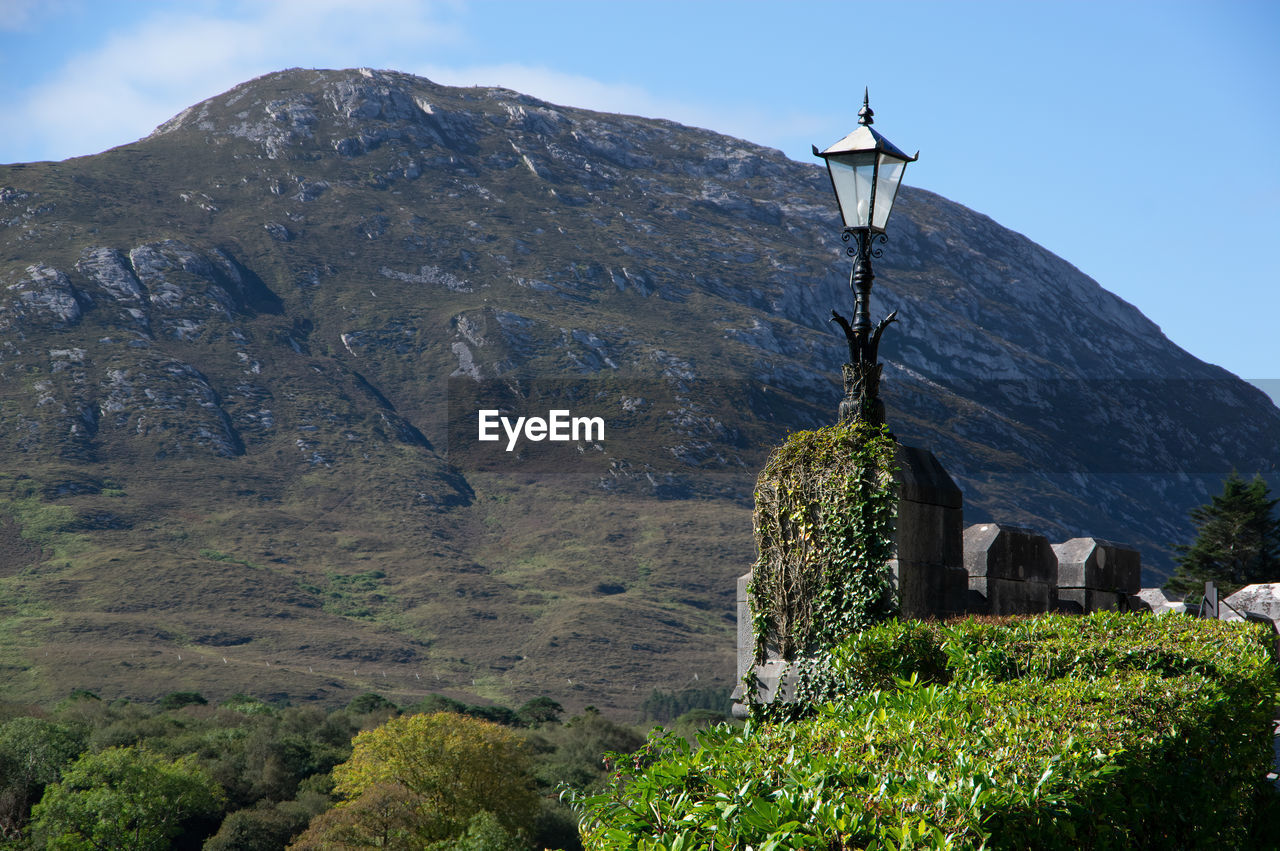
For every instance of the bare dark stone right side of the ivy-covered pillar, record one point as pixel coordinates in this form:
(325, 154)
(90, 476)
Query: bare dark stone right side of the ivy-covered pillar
(930, 565)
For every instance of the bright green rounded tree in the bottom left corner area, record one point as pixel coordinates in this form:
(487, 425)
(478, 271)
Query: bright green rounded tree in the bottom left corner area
(124, 798)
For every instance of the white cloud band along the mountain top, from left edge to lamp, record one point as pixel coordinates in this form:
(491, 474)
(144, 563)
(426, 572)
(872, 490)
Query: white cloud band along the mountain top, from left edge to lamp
(143, 74)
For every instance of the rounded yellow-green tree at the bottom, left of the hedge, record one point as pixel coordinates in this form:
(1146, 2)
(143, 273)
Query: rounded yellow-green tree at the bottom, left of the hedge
(422, 779)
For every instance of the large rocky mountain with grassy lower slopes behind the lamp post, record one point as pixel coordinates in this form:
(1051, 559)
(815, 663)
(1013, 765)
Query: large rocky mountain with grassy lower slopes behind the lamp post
(245, 360)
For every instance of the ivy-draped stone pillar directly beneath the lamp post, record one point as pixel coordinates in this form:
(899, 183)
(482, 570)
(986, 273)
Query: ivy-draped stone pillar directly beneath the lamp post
(852, 528)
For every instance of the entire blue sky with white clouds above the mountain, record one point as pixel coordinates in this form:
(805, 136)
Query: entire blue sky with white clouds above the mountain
(1139, 140)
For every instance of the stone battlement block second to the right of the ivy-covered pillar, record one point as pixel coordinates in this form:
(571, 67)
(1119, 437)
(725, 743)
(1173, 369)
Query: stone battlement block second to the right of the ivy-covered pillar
(1095, 575)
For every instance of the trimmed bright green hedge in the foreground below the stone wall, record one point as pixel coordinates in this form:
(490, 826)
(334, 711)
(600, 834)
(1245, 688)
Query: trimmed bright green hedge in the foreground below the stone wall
(1059, 733)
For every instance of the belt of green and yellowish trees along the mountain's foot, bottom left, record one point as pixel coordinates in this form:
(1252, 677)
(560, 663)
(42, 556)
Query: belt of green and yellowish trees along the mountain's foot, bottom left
(249, 776)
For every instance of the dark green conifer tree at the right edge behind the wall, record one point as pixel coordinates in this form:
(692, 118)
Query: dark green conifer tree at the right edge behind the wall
(1237, 541)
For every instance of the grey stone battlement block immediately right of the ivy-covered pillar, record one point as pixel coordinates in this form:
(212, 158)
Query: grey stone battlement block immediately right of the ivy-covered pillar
(1011, 570)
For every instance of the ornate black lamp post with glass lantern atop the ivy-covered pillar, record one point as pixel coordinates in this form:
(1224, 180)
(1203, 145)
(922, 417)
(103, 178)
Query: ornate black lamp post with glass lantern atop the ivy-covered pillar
(866, 171)
